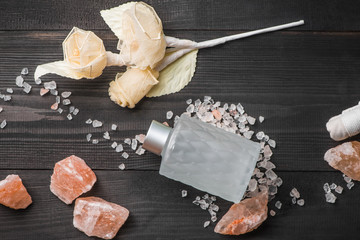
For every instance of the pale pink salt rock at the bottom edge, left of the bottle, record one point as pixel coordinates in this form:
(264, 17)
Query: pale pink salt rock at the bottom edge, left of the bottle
(97, 217)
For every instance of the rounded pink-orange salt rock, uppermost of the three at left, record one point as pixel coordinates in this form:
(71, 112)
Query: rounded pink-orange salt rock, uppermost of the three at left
(71, 178)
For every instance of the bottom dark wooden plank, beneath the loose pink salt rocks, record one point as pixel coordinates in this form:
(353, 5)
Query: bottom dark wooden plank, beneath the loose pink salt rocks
(158, 211)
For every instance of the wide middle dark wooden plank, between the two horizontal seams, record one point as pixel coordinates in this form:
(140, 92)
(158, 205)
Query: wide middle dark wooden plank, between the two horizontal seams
(296, 81)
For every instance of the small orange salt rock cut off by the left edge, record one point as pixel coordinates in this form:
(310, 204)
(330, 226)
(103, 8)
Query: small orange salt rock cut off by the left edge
(13, 194)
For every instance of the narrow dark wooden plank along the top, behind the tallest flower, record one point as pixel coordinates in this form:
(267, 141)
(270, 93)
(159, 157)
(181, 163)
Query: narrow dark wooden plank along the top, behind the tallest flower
(321, 15)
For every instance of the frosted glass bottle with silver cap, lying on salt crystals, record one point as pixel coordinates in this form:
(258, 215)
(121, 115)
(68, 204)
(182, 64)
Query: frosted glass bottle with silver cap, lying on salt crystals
(203, 156)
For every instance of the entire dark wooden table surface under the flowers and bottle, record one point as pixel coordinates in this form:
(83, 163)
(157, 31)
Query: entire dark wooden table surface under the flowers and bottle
(296, 78)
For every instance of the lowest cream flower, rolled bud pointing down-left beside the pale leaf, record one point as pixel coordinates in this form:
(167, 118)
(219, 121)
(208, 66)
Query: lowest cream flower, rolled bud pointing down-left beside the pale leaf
(130, 87)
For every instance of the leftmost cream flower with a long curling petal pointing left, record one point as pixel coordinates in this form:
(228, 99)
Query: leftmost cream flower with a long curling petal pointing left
(84, 57)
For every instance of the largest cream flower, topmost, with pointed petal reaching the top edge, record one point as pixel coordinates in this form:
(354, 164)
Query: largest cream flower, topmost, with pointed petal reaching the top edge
(139, 29)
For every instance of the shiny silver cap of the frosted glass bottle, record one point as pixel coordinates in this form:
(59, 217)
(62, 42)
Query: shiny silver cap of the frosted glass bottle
(156, 137)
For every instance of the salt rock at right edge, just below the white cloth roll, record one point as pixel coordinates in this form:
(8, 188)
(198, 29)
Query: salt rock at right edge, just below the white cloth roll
(346, 158)
